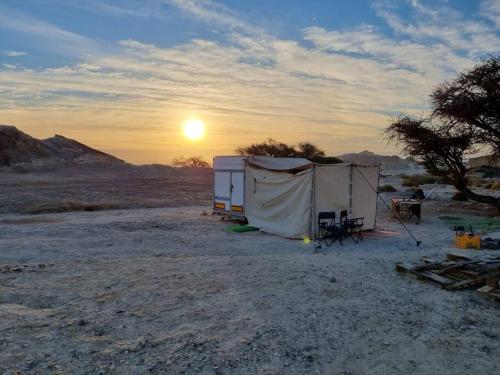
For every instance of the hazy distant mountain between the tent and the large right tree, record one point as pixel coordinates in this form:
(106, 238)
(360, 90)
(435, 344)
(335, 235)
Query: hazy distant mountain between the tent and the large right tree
(389, 164)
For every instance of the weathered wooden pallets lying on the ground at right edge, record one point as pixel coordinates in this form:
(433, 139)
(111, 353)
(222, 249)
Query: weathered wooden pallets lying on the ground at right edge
(457, 272)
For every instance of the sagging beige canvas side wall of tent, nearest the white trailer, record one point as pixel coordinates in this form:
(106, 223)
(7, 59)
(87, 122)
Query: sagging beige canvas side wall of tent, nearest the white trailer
(279, 202)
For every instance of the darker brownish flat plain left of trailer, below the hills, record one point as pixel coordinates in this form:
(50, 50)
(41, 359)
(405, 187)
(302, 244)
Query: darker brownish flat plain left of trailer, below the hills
(93, 188)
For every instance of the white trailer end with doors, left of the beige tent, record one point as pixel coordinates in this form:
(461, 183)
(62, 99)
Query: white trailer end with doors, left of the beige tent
(229, 185)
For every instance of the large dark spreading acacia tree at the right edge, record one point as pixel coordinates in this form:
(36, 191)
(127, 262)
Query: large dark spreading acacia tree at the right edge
(465, 119)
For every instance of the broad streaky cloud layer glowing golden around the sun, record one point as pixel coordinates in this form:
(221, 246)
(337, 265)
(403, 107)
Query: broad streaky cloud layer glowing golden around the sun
(337, 88)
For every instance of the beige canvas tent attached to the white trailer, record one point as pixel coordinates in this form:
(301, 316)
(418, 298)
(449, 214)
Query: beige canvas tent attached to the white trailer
(284, 195)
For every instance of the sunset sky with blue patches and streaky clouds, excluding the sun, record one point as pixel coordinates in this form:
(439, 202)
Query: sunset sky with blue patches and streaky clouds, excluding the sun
(124, 76)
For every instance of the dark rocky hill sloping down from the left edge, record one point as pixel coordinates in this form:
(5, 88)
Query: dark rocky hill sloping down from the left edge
(19, 148)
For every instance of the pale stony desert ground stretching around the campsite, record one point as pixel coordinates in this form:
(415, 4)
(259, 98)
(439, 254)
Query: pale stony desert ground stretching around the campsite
(170, 290)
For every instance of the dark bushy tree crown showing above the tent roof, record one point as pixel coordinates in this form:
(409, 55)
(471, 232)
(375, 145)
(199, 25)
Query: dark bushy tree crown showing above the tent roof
(270, 147)
